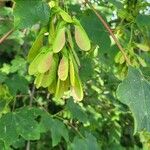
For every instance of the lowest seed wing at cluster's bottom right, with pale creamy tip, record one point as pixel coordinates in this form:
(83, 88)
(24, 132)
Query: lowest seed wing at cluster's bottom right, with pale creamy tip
(76, 90)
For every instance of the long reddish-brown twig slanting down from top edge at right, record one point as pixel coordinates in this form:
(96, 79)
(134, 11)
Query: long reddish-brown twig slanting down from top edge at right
(110, 31)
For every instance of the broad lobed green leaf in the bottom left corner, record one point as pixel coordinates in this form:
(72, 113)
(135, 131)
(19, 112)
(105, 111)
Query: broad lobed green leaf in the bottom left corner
(20, 123)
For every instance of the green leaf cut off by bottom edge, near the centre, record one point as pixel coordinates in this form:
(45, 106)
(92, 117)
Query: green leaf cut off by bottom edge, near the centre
(87, 143)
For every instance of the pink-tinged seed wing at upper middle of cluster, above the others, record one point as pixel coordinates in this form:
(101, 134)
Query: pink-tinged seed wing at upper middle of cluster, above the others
(59, 40)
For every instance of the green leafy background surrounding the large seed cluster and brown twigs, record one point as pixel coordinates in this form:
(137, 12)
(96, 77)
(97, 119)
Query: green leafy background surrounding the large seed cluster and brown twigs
(114, 114)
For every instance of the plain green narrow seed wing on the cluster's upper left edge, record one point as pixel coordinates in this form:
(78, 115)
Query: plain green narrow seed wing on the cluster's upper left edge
(36, 46)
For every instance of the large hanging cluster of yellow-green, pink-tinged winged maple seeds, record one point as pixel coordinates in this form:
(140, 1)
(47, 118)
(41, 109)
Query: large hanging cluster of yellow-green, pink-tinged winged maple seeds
(53, 60)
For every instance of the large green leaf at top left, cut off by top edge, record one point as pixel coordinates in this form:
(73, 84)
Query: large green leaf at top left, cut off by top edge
(30, 12)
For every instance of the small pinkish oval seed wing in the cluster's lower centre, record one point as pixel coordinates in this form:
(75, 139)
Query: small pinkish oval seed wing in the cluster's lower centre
(63, 68)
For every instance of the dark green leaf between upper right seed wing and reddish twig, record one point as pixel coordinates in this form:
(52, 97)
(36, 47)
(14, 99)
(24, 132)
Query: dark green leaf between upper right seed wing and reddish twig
(96, 31)
